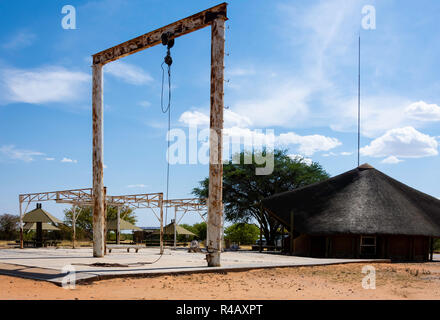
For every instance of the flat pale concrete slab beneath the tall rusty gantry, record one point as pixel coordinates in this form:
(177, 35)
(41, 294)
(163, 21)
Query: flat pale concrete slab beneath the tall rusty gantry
(47, 263)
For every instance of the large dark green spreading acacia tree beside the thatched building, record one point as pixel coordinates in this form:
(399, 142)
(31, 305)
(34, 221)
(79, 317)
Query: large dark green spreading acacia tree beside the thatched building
(243, 190)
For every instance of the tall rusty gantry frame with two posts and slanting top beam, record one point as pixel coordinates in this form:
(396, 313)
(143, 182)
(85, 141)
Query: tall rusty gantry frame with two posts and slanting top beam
(214, 17)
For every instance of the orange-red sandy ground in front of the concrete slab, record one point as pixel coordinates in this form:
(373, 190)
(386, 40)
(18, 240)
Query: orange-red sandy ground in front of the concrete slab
(393, 281)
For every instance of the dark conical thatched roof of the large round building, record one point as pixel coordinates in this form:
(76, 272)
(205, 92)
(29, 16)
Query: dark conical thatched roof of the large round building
(360, 201)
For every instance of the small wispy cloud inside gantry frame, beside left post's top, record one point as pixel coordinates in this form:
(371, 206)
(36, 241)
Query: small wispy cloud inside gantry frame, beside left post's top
(127, 72)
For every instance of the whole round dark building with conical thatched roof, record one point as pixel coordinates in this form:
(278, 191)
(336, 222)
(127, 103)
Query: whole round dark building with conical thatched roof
(361, 213)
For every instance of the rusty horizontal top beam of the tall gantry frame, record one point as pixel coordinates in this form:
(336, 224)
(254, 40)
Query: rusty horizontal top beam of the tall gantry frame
(153, 38)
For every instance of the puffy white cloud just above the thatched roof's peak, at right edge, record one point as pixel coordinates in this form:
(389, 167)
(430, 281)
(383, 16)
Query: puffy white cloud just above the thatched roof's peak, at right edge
(404, 142)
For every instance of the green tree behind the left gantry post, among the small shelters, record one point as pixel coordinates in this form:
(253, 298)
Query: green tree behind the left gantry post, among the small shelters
(84, 222)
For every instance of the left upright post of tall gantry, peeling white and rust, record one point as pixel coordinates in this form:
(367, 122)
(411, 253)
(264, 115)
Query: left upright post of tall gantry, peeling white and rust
(98, 165)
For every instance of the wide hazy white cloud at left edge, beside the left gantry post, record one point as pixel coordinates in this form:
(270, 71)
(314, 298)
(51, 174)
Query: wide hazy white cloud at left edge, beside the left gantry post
(41, 85)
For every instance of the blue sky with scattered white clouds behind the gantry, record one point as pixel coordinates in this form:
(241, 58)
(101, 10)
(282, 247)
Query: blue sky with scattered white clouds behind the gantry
(291, 66)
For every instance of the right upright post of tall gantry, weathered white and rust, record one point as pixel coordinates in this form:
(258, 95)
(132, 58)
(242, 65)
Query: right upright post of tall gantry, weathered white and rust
(215, 205)
